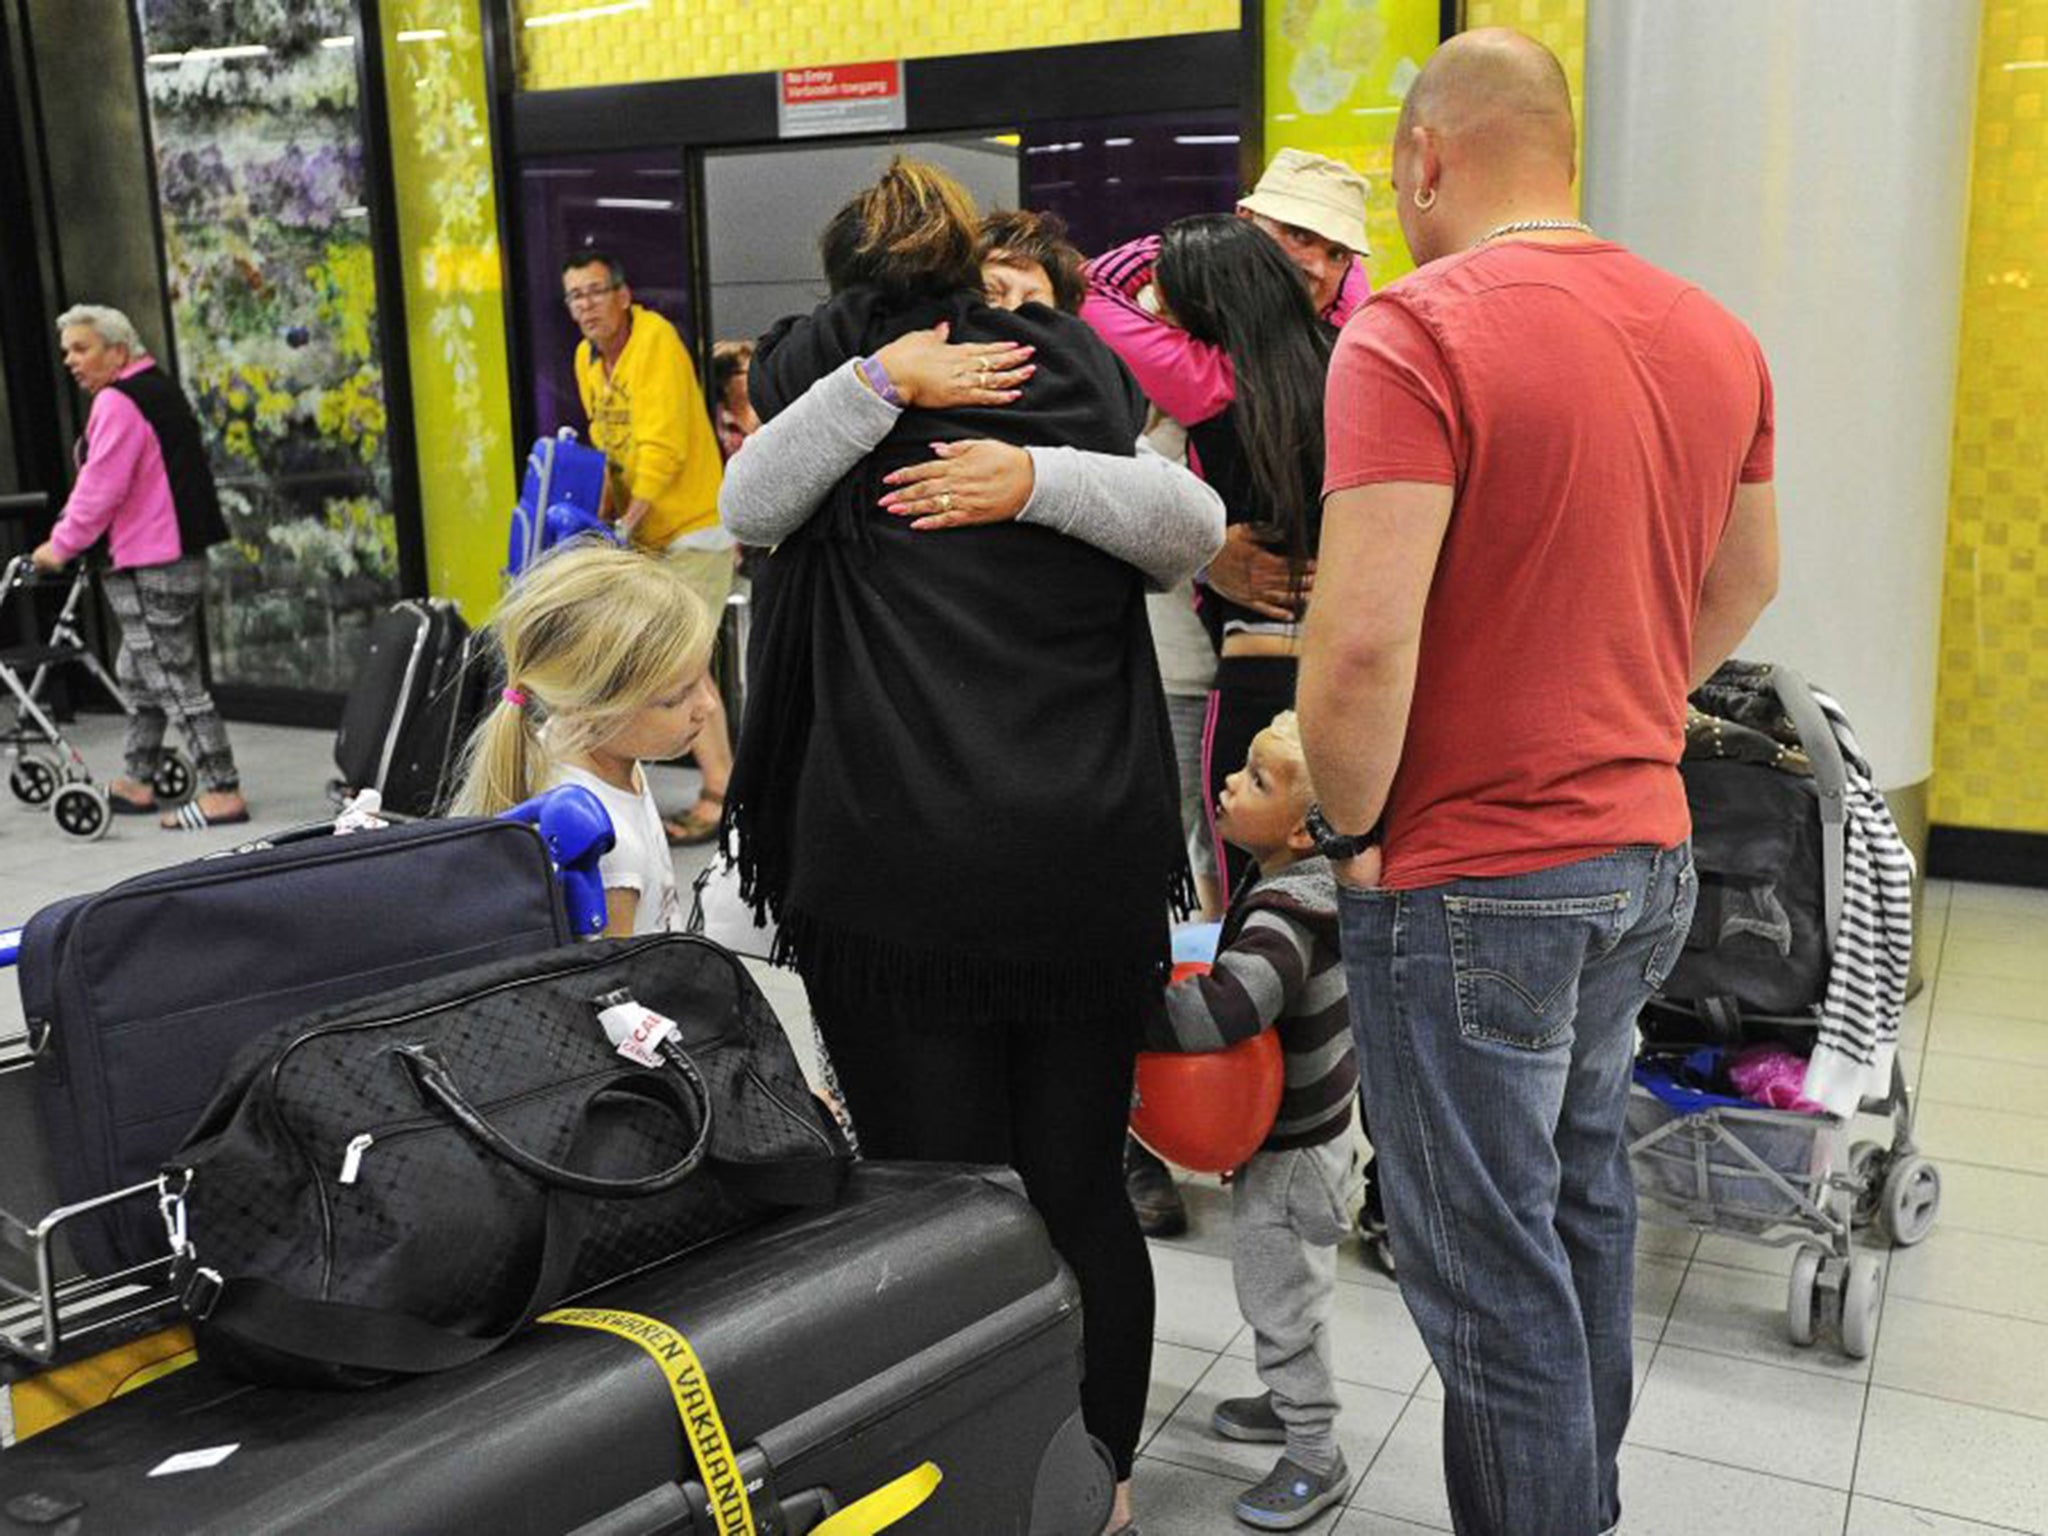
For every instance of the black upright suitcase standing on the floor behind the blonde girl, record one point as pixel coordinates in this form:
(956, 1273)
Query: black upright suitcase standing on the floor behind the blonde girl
(419, 691)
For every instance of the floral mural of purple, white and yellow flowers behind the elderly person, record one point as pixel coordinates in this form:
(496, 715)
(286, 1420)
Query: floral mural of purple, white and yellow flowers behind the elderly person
(261, 179)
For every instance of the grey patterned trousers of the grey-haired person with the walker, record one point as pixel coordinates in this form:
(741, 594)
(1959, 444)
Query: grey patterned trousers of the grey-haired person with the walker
(159, 669)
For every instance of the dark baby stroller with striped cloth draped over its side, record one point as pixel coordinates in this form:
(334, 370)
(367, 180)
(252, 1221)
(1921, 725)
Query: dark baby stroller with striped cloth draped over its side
(1777, 957)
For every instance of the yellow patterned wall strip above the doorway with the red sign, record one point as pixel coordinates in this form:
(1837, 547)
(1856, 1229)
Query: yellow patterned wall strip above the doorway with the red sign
(620, 42)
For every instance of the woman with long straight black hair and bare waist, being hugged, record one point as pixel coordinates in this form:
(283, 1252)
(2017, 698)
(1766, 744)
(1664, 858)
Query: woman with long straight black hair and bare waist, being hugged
(1230, 286)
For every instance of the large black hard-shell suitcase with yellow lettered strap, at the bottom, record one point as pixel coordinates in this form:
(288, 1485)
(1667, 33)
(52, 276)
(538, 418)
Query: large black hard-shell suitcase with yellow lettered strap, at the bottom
(923, 1326)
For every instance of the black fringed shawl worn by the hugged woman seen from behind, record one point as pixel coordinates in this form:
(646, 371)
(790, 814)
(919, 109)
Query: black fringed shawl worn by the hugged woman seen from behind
(955, 777)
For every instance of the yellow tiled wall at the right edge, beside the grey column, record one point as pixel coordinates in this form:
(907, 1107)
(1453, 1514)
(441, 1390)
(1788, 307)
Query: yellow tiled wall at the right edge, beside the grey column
(1992, 703)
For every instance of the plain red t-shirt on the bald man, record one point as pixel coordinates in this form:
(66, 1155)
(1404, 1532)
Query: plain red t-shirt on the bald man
(1594, 417)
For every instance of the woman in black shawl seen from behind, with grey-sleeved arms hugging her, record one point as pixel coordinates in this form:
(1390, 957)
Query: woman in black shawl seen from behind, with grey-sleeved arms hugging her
(941, 798)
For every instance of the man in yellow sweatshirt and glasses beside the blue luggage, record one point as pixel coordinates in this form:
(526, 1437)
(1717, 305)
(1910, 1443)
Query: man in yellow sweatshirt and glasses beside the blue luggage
(648, 417)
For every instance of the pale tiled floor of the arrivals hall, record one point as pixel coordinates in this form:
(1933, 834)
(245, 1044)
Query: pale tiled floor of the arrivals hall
(1945, 1431)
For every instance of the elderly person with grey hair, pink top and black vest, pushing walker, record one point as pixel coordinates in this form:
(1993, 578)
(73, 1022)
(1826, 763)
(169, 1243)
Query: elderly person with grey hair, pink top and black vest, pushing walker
(146, 486)
